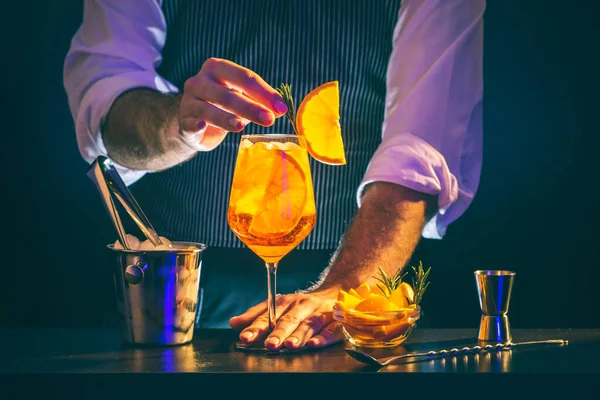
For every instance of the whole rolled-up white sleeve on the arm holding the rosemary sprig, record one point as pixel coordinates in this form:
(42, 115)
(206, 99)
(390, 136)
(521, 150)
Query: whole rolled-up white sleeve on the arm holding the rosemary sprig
(117, 48)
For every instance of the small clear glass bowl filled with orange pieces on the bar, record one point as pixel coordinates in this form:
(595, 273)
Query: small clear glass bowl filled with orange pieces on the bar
(377, 329)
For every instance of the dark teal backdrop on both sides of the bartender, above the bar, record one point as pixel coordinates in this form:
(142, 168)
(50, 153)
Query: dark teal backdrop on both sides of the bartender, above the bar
(535, 212)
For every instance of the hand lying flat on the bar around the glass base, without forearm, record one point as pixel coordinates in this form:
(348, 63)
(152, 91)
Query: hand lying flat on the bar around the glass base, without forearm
(302, 319)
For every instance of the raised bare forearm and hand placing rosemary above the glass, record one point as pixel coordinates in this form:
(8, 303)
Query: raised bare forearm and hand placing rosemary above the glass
(152, 131)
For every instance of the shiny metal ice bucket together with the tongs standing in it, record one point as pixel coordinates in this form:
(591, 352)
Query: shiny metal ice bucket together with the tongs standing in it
(157, 290)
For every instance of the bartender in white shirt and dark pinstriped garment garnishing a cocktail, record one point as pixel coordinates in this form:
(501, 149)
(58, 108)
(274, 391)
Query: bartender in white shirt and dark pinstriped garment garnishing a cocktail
(150, 86)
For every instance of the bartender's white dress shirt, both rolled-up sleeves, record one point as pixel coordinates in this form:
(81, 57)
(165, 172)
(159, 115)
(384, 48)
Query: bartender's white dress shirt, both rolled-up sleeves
(432, 129)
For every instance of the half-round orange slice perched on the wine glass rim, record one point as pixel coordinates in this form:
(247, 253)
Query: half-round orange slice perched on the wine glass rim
(318, 121)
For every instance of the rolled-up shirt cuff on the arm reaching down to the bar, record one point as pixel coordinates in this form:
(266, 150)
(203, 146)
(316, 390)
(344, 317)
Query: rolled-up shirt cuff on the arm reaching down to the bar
(409, 161)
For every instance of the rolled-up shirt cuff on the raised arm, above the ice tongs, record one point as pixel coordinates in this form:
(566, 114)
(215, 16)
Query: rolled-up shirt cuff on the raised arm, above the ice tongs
(94, 109)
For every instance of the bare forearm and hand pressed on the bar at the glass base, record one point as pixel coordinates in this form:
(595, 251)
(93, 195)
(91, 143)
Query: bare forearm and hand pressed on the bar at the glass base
(384, 234)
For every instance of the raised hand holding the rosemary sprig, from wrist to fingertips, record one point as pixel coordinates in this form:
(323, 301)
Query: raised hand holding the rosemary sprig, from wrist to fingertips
(224, 97)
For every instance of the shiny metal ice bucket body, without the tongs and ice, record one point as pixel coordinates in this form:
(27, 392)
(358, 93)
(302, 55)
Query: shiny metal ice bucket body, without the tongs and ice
(157, 293)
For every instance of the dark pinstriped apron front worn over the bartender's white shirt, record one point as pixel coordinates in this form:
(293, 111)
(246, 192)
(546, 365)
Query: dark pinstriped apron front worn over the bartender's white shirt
(305, 43)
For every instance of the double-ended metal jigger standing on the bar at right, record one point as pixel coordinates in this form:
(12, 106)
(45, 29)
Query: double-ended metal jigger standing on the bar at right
(494, 288)
